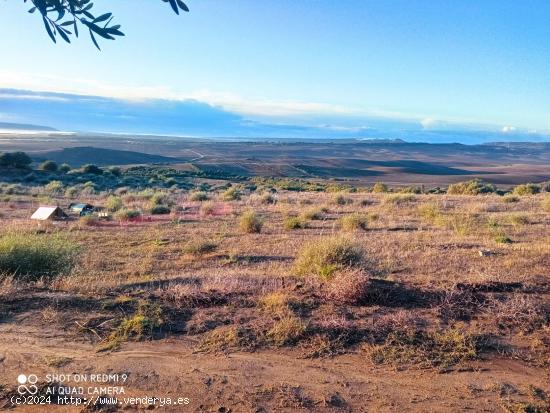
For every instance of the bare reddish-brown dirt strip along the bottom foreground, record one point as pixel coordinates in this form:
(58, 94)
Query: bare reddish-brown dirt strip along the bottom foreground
(266, 381)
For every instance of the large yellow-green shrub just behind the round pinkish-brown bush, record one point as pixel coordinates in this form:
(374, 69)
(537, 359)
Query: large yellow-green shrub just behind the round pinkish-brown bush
(323, 256)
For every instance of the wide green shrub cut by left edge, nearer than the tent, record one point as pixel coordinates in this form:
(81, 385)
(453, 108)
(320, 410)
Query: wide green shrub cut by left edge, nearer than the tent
(33, 256)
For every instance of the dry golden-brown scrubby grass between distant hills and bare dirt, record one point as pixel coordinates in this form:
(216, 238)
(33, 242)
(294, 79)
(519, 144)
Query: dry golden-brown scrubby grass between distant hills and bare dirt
(312, 288)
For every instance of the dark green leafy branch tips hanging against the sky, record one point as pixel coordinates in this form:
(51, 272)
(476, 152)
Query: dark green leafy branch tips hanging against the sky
(62, 17)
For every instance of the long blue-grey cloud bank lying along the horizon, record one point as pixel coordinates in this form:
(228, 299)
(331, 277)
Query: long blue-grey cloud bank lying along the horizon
(197, 118)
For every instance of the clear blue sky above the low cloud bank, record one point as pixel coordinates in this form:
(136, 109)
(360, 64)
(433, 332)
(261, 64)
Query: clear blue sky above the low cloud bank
(352, 64)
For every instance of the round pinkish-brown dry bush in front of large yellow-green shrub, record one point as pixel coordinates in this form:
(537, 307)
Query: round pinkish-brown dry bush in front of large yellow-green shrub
(349, 286)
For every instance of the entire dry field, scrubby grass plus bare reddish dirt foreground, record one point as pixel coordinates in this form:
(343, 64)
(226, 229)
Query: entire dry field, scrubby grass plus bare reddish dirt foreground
(347, 302)
